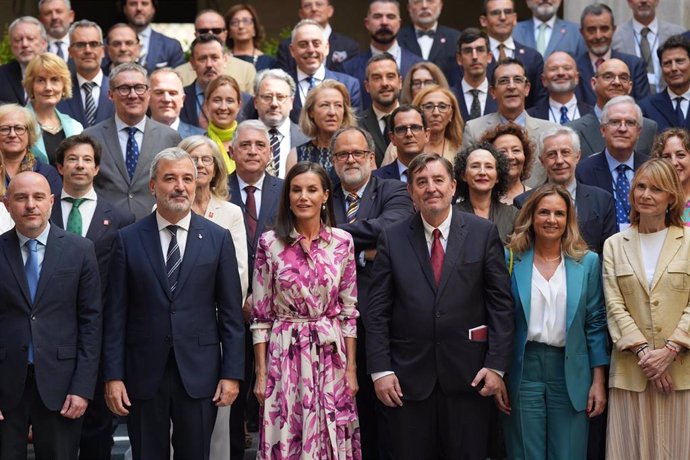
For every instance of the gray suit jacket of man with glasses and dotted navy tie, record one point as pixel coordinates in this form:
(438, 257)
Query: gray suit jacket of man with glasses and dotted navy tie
(112, 181)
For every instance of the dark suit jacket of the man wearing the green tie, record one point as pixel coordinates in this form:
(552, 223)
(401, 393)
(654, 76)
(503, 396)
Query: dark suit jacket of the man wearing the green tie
(102, 231)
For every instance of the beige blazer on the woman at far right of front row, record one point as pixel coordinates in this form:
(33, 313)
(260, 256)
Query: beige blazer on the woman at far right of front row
(637, 313)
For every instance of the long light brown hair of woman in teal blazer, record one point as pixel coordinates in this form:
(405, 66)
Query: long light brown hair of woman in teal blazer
(523, 236)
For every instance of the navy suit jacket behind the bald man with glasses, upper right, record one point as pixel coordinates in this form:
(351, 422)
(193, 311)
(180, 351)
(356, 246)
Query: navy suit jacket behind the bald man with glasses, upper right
(584, 91)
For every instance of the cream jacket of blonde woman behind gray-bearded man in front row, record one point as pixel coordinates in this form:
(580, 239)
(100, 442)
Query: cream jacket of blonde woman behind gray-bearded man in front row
(230, 216)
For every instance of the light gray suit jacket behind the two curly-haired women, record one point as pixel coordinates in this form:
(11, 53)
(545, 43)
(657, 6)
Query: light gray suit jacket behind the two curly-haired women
(475, 129)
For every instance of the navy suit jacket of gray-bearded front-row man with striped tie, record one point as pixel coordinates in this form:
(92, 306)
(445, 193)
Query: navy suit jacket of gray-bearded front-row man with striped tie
(144, 322)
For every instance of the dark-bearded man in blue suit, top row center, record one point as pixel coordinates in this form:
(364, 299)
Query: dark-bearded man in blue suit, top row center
(383, 24)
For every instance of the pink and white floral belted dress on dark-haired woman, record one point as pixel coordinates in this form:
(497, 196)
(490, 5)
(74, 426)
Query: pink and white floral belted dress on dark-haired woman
(304, 307)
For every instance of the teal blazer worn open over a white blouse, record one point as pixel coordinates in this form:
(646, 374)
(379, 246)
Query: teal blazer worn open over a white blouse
(586, 343)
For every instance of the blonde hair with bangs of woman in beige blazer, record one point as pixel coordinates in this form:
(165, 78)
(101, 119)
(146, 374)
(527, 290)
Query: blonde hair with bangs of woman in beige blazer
(663, 175)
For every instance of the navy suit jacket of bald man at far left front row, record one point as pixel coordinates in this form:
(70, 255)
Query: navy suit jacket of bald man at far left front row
(64, 320)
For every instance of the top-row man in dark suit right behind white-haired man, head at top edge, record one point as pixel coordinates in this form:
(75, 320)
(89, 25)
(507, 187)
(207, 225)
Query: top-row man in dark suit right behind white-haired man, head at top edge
(340, 47)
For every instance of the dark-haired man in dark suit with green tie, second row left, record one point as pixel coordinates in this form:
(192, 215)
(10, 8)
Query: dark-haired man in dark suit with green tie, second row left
(79, 210)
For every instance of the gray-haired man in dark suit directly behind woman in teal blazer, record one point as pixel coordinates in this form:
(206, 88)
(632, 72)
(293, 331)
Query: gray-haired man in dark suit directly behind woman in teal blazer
(596, 214)
